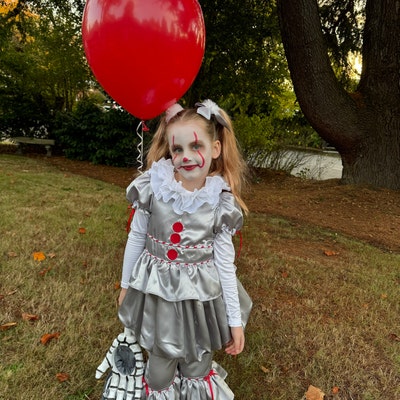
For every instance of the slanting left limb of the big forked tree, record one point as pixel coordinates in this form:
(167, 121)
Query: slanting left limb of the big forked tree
(317, 89)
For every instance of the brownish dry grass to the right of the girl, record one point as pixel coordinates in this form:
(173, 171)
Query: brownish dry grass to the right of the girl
(330, 321)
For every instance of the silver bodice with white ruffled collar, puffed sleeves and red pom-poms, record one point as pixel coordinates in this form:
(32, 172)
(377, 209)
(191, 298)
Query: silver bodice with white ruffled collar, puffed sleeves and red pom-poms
(177, 263)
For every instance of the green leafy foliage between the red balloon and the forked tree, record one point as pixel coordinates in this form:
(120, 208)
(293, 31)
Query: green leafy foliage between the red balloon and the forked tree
(245, 71)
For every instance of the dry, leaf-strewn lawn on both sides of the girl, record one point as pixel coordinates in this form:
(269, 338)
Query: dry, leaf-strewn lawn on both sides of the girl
(329, 321)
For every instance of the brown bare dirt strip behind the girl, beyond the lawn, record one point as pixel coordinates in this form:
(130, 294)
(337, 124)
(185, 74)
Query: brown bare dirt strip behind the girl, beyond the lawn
(371, 215)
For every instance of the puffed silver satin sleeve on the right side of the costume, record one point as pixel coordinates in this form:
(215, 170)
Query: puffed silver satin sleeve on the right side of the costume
(228, 216)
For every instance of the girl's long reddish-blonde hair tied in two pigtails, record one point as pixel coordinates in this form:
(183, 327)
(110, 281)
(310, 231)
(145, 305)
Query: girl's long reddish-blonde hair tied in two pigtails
(230, 163)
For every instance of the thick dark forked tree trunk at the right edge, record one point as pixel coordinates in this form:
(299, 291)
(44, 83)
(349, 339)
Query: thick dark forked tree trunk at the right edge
(363, 126)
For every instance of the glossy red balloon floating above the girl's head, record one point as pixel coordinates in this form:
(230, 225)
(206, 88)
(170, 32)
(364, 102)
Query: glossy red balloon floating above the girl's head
(144, 53)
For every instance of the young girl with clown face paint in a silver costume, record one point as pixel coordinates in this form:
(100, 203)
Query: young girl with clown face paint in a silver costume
(179, 288)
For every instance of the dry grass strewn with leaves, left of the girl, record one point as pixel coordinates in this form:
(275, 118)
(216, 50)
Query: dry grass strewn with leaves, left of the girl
(42, 211)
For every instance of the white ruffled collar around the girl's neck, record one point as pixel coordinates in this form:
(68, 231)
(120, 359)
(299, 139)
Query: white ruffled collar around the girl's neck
(166, 187)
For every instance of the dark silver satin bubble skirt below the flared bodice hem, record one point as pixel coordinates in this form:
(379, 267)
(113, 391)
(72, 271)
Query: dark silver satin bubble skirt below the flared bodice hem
(176, 330)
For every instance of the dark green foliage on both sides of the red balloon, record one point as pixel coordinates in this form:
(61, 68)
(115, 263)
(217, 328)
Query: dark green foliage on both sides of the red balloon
(43, 73)
